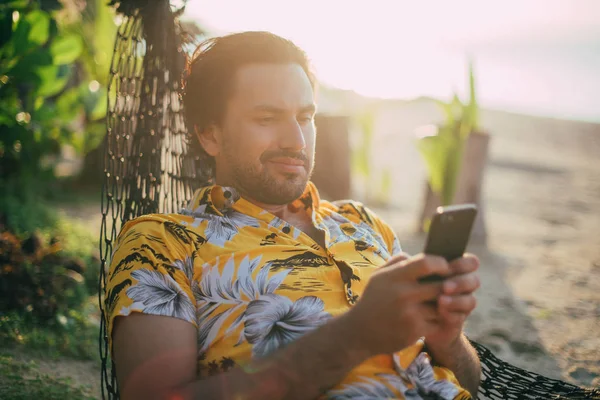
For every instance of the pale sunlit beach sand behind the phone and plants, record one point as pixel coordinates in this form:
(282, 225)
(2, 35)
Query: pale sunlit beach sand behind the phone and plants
(539, 303)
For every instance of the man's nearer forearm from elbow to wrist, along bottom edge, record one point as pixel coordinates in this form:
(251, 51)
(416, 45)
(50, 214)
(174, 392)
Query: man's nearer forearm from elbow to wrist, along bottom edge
(302, 370)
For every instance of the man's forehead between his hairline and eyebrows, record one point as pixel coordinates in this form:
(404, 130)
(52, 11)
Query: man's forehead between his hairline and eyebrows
(285, 86)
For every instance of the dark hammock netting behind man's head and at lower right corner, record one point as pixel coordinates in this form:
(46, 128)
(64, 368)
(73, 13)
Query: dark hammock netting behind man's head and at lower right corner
(148, 169)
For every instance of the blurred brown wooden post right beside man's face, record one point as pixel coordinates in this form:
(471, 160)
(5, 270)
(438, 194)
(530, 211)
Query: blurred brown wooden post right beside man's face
(332, 164)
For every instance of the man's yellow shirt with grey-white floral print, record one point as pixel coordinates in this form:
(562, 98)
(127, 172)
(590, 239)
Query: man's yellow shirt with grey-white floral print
(251, 283)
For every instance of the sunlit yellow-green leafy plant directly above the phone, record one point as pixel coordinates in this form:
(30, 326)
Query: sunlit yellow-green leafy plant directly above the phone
(442, 150)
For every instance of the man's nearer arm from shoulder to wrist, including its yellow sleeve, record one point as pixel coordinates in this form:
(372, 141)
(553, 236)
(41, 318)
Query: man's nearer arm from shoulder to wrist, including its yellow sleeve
(155, 349)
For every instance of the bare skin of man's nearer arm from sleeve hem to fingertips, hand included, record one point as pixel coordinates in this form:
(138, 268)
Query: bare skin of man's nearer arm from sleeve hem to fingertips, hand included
(155, 356)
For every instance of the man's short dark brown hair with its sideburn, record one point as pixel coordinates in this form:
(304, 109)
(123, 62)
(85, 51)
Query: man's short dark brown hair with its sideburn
(209, 77)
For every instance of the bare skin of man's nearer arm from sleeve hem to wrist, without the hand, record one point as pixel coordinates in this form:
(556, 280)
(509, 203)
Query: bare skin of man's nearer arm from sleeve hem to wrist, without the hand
(302, 370)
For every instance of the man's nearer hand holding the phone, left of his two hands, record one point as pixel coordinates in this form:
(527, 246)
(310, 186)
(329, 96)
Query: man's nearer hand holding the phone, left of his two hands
(396, 309)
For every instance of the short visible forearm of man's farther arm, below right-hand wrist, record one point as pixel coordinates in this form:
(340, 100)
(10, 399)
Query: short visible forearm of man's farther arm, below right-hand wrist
(461, 358)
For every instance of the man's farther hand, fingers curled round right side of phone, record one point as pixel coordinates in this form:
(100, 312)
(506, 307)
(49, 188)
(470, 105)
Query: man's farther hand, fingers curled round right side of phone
(455, 303)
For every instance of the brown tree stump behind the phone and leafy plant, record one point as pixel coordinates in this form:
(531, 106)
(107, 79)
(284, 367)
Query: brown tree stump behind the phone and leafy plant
(469, 185)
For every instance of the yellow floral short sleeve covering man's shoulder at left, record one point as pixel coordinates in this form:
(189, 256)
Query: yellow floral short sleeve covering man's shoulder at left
(152, 269)
